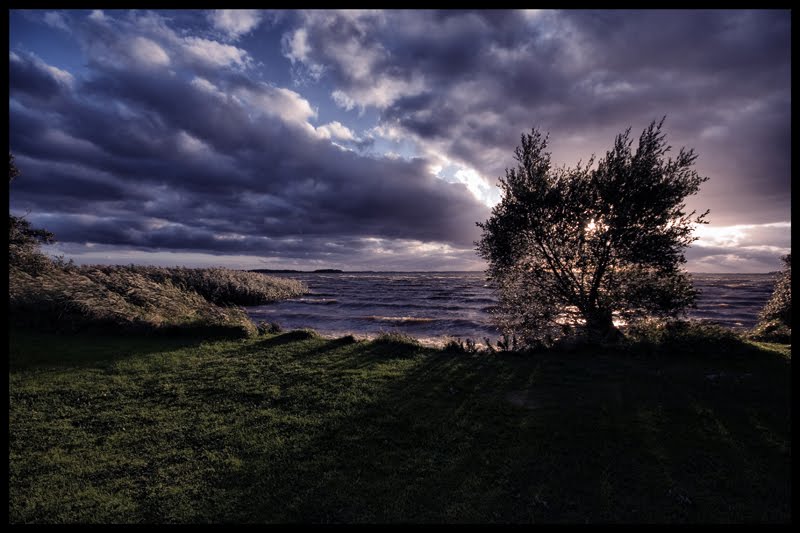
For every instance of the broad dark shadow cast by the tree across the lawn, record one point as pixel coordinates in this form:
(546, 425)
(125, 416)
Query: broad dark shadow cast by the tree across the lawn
(439, 441)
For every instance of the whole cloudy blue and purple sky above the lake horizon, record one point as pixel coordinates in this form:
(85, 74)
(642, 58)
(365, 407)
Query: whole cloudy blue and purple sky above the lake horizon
(373, 140)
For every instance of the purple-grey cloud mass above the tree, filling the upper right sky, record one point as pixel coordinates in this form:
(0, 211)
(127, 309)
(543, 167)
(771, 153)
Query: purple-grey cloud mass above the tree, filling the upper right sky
(721, 77)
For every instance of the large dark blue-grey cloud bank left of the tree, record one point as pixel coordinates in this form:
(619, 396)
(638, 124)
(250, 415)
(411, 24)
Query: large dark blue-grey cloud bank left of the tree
(168, 162)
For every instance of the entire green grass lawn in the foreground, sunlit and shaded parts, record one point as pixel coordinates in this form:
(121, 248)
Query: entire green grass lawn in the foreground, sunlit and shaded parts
(296, 428)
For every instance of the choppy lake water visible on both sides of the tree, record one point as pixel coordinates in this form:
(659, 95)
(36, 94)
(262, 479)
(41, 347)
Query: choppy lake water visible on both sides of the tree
(433, 305)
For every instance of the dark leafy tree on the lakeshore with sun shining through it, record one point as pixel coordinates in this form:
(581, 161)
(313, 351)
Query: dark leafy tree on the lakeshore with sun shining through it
(570, 249)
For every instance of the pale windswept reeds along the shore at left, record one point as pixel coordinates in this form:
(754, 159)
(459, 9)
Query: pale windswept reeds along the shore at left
(140, 299)
